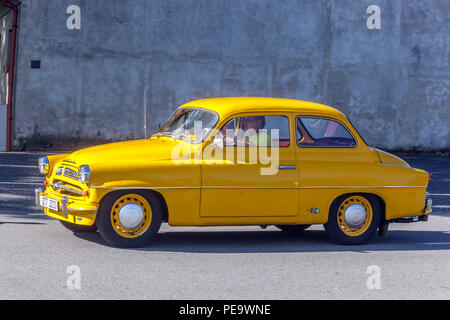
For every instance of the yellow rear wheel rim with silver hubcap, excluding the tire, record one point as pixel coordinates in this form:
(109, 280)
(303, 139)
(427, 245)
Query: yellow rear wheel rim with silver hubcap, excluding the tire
(354, 216)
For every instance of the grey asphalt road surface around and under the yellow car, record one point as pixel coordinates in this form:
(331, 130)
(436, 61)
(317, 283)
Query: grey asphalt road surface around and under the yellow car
(42, 260)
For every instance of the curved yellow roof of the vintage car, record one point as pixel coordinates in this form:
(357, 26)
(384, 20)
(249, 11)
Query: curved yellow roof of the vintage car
(232, 105)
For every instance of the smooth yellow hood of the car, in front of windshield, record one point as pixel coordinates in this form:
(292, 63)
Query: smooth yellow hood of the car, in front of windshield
(126, 151)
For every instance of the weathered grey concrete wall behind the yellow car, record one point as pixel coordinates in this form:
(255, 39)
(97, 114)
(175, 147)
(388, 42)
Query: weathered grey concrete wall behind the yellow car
(393, 83)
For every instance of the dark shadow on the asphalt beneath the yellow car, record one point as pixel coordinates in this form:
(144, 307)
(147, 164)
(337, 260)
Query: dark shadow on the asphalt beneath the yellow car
(264, 241)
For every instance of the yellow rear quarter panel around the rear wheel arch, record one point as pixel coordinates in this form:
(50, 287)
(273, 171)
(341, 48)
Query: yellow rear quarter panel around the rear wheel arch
(328, 174)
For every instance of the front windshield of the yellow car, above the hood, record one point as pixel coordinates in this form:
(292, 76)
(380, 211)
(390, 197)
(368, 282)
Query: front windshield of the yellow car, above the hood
(189, 124)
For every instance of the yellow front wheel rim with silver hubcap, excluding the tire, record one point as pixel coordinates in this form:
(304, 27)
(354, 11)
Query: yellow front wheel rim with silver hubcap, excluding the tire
(131, 215)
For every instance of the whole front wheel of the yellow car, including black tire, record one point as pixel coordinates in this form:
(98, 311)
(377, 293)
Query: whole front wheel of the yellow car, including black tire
(129, 219)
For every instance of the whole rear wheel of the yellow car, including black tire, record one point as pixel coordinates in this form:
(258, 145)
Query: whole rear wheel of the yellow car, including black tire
(353, 219)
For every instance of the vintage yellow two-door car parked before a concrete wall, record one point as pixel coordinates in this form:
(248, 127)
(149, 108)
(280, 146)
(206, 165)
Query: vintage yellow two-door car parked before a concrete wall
(236, 161)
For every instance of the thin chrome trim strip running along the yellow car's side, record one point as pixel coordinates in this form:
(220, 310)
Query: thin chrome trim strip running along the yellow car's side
(236, 187)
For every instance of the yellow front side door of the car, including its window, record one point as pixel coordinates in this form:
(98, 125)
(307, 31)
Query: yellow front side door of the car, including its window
(241, 179)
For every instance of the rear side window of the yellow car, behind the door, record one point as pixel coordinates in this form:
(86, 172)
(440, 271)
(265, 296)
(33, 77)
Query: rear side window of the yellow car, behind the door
(322, 132)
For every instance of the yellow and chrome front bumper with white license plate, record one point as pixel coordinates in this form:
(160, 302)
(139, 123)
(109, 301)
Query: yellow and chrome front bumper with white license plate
(69, 209)
